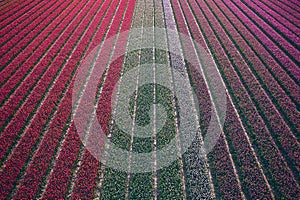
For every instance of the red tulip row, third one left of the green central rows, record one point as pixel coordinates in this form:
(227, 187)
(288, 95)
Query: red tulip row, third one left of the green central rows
(44, 155)
